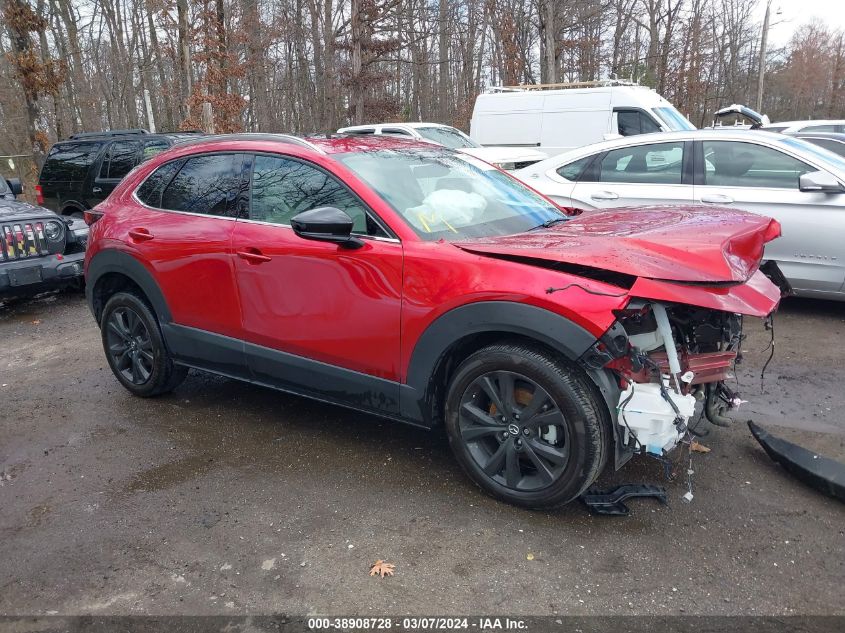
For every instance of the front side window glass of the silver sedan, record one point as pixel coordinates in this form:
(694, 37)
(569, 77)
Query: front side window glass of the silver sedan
(739, 164)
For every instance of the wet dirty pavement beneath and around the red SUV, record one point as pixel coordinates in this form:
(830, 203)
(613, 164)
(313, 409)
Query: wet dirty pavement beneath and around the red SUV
(224, 498)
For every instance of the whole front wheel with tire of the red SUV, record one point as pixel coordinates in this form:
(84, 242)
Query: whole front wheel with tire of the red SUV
(527, 427)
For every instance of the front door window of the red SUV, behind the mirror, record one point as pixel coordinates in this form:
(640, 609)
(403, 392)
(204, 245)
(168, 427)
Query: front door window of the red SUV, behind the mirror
(282, 188)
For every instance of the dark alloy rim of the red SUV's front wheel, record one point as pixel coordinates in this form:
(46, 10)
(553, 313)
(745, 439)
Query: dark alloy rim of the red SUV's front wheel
(514, 431)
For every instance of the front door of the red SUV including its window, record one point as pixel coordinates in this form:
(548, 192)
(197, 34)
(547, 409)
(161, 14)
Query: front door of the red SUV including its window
(317, 317)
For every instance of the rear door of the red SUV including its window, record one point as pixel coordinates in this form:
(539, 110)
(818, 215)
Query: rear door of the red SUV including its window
(182, 229)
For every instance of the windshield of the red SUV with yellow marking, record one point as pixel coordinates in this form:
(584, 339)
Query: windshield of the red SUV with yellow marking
(452, 196)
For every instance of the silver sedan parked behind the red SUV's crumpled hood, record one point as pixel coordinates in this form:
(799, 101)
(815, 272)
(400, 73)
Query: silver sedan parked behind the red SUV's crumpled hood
(791, 180)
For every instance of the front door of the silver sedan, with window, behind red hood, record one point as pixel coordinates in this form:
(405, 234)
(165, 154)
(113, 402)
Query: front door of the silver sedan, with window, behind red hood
(761, 179)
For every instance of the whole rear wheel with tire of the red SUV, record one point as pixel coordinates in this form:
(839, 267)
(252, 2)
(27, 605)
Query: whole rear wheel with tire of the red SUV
(135, 348)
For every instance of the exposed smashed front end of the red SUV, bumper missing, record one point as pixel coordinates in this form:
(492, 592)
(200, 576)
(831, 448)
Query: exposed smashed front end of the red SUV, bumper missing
(673, 362)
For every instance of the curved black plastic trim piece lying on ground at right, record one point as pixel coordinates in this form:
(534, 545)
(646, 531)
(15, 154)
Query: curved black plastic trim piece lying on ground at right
(822, 473)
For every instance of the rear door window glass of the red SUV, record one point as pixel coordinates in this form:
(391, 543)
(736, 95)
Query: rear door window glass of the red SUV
(205, 184)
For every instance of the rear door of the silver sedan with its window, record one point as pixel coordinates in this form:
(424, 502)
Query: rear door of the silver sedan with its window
(650, 173)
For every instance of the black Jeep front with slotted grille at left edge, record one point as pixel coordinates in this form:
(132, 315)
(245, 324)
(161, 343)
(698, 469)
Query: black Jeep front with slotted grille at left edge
(38, 249)
